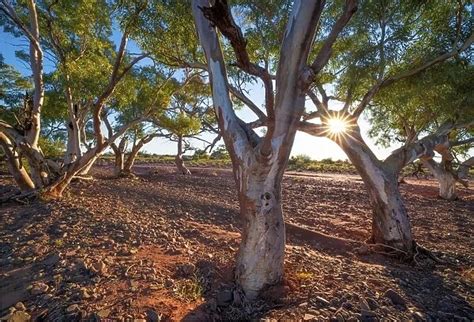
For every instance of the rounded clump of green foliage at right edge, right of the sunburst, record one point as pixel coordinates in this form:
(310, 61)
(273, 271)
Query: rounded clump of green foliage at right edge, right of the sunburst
(421, 103)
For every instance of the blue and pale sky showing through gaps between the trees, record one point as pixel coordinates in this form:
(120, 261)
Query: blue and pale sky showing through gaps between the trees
(316, 148)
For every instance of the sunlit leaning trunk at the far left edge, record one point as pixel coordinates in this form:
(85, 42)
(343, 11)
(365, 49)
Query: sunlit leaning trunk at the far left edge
(15, 167)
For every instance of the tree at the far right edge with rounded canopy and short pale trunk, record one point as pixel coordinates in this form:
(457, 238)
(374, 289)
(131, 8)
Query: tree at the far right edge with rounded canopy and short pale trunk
(419, 104)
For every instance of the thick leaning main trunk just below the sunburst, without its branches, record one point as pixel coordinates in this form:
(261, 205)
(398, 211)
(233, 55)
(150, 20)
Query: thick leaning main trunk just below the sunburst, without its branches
(390, 221)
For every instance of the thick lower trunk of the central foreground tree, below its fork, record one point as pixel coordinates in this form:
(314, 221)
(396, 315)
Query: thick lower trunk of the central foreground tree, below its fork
(261, 254)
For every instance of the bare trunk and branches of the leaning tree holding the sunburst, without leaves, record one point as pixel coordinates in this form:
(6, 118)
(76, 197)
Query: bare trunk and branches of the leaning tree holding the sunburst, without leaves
(390, 223)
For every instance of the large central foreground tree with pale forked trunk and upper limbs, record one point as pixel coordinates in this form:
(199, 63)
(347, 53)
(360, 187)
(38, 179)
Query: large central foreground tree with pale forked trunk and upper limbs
(259, 162)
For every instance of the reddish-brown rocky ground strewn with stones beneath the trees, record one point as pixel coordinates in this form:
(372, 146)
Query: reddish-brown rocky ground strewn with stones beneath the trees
(161, 247)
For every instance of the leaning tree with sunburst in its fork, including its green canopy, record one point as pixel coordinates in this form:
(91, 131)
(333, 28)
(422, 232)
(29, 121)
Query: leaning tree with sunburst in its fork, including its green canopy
(387, 42)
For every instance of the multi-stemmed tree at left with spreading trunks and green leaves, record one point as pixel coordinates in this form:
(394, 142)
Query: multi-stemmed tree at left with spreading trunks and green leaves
(75, 48)
